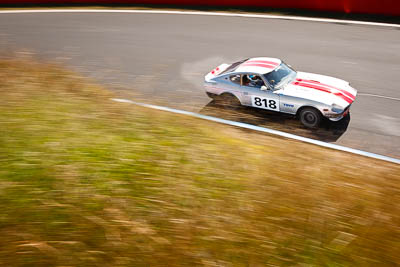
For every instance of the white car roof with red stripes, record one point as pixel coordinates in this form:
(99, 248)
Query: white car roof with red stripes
(259, 65)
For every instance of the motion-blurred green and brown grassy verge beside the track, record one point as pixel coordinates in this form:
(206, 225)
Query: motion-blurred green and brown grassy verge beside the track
(88, 182)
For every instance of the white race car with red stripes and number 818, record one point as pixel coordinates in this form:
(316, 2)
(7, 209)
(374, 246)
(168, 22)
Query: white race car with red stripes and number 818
(268, 83)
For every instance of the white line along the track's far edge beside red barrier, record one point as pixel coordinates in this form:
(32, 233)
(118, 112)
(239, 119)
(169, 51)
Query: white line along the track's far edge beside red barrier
(202, 13)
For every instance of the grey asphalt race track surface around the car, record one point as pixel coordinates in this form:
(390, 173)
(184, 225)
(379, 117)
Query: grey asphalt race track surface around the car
(162, 58)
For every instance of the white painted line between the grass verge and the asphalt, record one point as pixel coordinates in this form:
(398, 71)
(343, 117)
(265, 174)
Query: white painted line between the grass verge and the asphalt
(262, 129)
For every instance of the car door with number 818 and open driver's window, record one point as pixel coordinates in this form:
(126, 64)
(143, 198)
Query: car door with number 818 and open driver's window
(260, 94)
